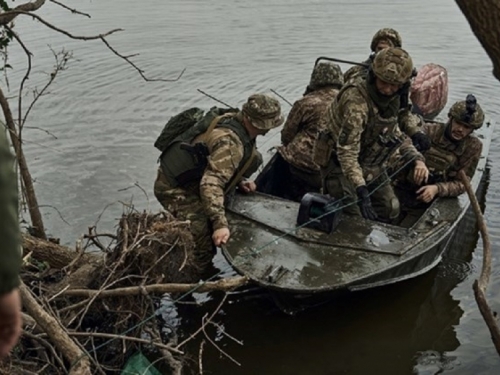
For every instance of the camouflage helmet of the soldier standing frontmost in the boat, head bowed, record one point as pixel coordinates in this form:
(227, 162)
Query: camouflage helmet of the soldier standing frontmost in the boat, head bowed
(393, 65)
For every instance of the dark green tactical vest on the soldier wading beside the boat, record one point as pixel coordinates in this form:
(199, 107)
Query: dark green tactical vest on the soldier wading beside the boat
(182, 167)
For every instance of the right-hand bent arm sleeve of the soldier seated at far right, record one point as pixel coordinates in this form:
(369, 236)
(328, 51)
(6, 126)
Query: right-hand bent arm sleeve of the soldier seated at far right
(468, 163)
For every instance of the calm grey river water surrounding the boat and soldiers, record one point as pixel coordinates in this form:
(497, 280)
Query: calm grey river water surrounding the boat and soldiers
(106, 118)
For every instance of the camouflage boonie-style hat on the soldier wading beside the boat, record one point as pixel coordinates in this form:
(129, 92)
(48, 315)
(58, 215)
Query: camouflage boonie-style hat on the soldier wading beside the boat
(263, 111)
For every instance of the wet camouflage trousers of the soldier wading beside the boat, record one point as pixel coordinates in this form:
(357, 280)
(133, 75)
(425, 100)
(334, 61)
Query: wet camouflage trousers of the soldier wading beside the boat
(184, 203)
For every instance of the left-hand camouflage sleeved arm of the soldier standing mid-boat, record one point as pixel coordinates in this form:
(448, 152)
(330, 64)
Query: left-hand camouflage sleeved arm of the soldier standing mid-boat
(354, 115)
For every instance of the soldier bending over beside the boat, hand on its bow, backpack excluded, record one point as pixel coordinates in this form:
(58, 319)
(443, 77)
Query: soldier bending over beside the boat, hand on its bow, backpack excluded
(194, 188)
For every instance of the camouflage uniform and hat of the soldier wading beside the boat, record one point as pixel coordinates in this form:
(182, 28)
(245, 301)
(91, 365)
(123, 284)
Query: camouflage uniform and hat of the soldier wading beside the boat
(202, 201)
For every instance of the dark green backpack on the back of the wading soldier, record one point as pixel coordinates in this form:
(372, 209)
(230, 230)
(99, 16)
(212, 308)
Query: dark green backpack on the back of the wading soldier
(188, 124)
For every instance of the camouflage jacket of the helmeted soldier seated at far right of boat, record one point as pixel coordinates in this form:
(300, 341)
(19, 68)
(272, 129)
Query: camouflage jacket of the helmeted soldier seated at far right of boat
(466, 156)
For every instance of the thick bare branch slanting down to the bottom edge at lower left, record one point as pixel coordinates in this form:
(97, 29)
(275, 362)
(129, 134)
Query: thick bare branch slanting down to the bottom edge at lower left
(57, 334)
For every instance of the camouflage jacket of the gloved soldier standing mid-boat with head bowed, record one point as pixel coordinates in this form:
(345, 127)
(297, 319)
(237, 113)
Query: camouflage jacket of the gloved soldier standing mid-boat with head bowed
(352, 120)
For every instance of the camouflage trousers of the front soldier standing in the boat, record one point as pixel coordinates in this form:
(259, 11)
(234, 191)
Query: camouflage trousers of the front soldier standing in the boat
(383, 197)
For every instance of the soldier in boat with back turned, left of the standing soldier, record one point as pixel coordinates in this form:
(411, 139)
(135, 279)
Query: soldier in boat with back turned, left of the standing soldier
(301, 129)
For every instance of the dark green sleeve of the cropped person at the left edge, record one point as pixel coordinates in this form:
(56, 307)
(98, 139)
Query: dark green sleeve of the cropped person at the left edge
(10, 256)
